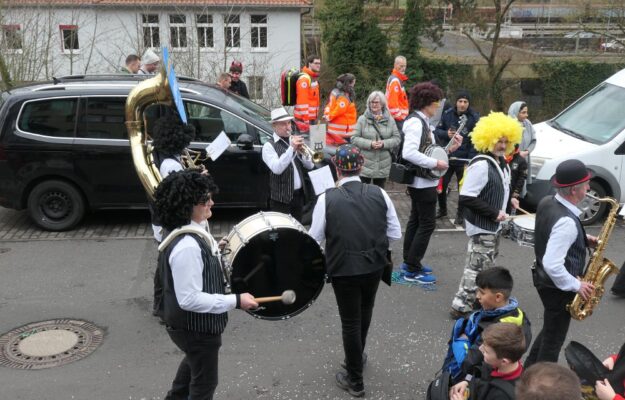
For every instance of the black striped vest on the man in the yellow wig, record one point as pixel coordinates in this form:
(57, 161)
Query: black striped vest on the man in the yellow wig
(492, 194)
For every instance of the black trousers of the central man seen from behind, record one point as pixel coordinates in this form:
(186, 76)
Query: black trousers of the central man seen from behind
(355, 296)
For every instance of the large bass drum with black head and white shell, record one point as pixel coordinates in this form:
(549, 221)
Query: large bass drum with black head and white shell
(269, 253)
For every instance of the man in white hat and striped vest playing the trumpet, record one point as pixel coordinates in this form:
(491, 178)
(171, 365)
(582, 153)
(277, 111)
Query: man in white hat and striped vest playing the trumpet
(283, 155)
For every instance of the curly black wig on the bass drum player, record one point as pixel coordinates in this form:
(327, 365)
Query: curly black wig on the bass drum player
(176, 195)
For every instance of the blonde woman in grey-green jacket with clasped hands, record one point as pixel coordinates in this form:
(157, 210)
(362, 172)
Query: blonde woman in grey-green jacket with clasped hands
(377, 137)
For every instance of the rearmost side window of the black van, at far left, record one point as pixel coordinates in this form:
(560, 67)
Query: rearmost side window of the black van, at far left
(54, 117)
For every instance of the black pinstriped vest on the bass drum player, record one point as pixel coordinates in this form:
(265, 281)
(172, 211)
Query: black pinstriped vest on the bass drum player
(212, 282)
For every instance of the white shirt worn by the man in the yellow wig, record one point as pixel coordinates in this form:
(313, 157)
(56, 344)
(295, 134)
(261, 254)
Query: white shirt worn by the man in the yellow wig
(475, 179)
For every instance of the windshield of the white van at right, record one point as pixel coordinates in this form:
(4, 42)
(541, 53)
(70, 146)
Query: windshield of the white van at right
(596, 117)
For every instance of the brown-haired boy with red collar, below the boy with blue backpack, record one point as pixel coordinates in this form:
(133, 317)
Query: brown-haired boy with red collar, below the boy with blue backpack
(503, 346)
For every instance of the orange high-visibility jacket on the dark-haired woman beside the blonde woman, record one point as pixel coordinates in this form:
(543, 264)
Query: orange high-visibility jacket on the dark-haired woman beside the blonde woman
(340, 112)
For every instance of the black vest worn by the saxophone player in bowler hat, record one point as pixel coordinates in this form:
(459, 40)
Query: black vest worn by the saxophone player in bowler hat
(548, 213)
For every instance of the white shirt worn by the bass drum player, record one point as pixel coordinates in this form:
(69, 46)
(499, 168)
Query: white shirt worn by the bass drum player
(186, 268)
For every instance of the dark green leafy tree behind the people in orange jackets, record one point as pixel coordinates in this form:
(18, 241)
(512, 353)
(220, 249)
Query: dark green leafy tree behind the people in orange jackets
(353, 42)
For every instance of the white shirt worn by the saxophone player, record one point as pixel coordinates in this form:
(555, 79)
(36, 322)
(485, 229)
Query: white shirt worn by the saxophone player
(562, 236)
